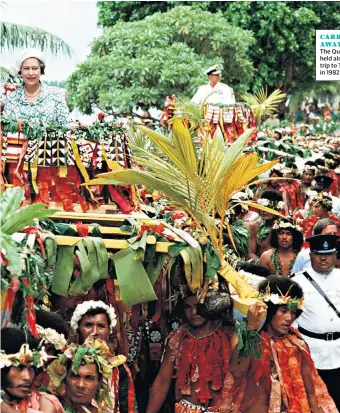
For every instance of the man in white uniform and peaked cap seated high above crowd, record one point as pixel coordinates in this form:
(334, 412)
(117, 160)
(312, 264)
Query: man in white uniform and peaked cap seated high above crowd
(214, 92)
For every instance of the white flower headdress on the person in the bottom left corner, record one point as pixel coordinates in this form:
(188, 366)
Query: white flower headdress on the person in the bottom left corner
(24, 356)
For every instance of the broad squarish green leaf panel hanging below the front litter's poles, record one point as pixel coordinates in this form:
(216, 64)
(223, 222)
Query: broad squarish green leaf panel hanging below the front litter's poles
(134, 283)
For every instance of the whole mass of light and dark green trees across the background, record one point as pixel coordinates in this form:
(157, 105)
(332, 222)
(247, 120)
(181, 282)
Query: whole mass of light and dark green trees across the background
(151, 49)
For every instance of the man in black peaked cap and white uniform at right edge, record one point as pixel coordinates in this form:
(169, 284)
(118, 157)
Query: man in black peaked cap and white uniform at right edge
(320, 321)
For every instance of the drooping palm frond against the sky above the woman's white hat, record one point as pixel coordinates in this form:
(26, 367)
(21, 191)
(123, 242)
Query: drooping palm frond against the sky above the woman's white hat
(17, 36)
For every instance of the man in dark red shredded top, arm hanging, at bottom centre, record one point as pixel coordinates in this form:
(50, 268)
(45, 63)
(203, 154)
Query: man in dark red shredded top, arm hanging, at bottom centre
(197, 355)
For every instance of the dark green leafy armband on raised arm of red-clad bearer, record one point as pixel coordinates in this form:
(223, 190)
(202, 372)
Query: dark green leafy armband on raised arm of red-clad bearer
(249, 341)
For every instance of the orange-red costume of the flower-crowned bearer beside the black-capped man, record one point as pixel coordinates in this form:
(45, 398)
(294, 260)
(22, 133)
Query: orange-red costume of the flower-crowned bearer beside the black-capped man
(286, 354)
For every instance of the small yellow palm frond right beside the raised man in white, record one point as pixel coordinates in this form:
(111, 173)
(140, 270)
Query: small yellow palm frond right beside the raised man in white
(261, 104)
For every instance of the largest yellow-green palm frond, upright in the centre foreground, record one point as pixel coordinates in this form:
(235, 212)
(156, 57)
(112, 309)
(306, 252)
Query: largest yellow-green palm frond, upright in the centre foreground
(200, 183)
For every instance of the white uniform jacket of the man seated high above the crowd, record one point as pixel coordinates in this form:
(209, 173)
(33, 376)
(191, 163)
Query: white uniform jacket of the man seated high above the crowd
(219, 94)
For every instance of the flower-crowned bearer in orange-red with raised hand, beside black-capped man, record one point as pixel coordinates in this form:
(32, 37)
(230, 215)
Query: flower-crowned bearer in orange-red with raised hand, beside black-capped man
(270, 360)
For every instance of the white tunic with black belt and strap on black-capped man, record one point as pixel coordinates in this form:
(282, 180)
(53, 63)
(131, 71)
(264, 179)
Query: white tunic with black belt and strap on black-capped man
(318, 317)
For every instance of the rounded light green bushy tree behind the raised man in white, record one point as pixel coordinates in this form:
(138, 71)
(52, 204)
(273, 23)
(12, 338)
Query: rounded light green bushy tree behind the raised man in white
(162, 54)
